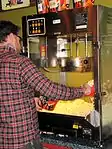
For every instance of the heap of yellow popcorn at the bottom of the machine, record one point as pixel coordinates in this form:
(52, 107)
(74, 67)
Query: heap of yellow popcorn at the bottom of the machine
(76, 107)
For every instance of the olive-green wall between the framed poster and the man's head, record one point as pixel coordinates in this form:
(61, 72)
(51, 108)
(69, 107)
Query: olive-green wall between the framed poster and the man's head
(16, 15)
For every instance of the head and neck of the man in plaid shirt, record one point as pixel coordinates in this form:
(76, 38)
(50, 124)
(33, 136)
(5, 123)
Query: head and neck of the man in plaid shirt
(9, 34)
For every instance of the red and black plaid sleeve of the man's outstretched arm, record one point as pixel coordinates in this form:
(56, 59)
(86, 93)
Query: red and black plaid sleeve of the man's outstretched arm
(34, 78)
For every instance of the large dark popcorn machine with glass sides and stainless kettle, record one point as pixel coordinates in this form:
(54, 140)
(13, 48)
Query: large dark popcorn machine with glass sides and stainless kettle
(72, 47)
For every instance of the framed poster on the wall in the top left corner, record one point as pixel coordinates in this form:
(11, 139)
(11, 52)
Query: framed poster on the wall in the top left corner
(13, 4)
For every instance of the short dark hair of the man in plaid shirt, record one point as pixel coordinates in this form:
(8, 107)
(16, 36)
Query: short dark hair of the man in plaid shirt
(7, 27)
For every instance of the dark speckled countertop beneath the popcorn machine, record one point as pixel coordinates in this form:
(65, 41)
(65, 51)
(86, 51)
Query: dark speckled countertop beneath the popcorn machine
(68, 142)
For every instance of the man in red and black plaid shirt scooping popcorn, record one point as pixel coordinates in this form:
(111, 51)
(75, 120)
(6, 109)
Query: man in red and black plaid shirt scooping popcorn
(19, 80)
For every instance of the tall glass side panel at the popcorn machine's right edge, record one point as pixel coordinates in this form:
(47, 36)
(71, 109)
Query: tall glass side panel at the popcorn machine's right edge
(106, 70)
